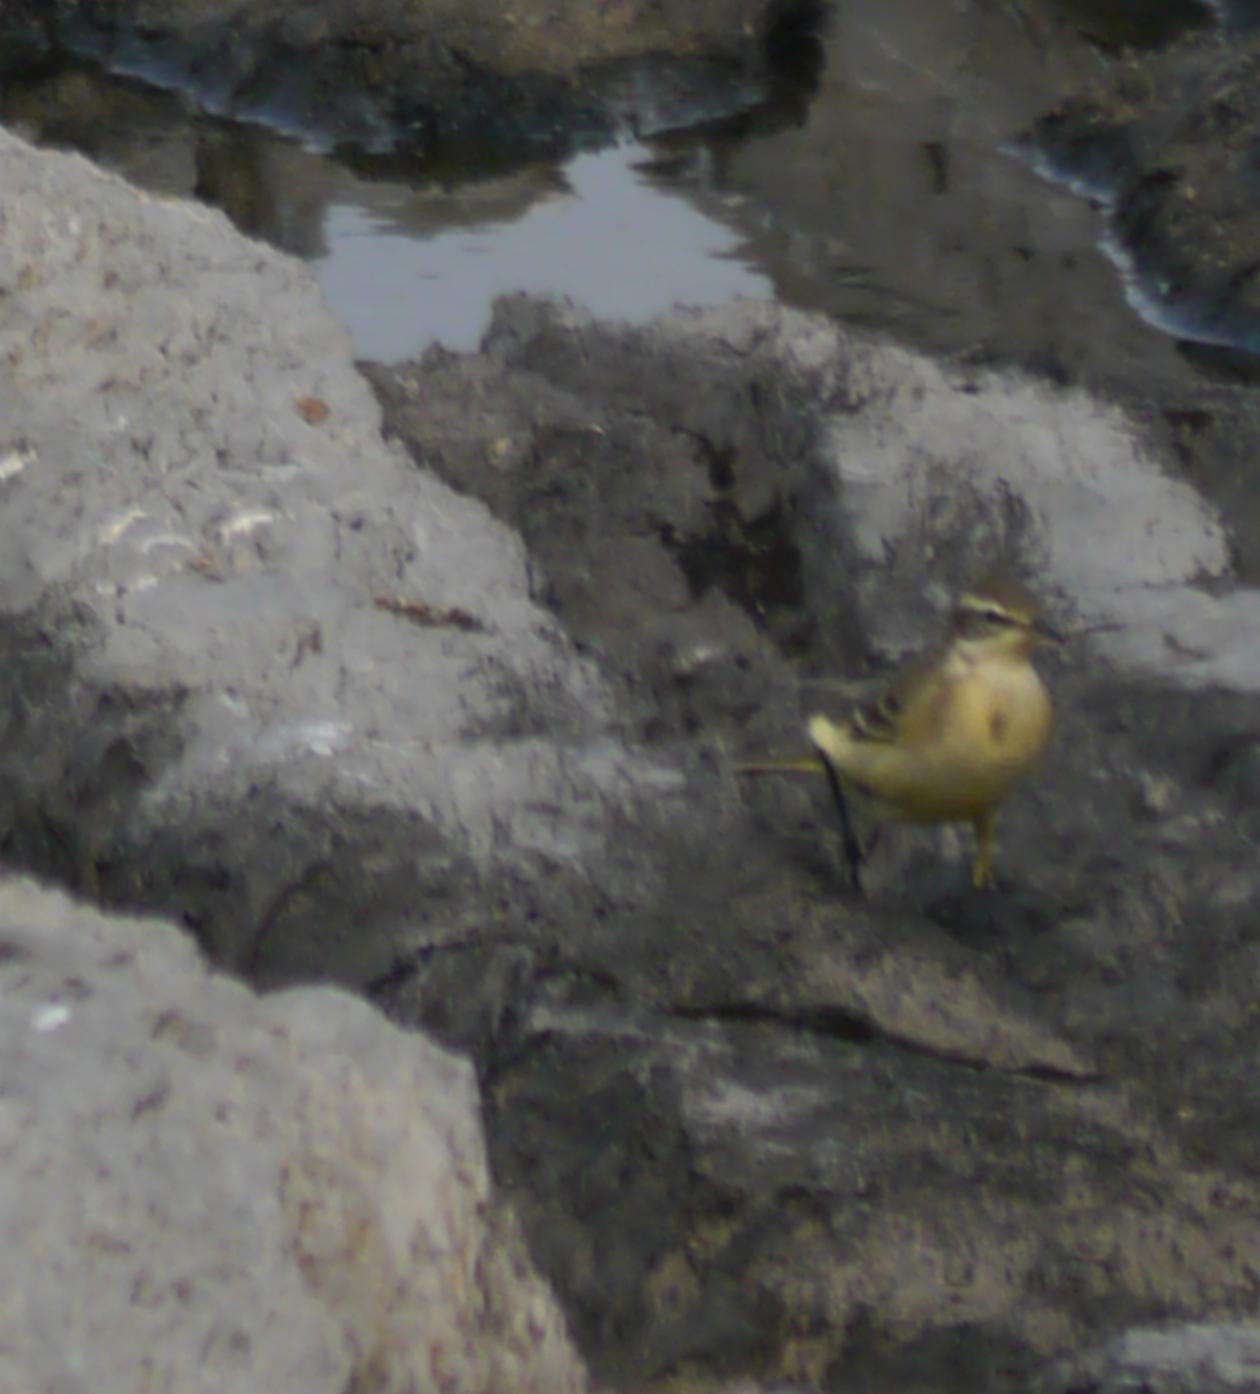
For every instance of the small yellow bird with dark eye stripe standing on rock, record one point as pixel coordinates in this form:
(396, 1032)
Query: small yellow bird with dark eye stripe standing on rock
(951, 737)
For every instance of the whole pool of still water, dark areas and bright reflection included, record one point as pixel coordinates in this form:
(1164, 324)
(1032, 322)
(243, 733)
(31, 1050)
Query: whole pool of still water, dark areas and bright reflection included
(879, 185)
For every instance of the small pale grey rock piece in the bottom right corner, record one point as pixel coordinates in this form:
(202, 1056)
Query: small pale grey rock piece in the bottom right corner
(1178, 1360)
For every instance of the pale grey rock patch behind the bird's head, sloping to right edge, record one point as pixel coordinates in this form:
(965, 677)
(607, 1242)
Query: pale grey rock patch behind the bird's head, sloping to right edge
(950, 470)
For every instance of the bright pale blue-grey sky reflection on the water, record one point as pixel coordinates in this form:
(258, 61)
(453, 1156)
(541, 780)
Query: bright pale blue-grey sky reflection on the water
(603, 233)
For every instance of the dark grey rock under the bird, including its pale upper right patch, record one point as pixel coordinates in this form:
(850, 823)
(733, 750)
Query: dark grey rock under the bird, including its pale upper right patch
(787, 1082)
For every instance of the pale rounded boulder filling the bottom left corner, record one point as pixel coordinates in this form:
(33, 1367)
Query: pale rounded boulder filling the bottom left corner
(204, 1190)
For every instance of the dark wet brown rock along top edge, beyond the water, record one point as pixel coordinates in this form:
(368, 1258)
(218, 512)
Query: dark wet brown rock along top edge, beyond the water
(441, 75)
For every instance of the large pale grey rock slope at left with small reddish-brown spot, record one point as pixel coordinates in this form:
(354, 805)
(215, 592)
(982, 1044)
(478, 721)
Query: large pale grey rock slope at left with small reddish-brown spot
(261, 603)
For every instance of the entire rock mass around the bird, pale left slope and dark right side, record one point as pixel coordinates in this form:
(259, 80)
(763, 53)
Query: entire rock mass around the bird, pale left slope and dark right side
(755, 1128)
